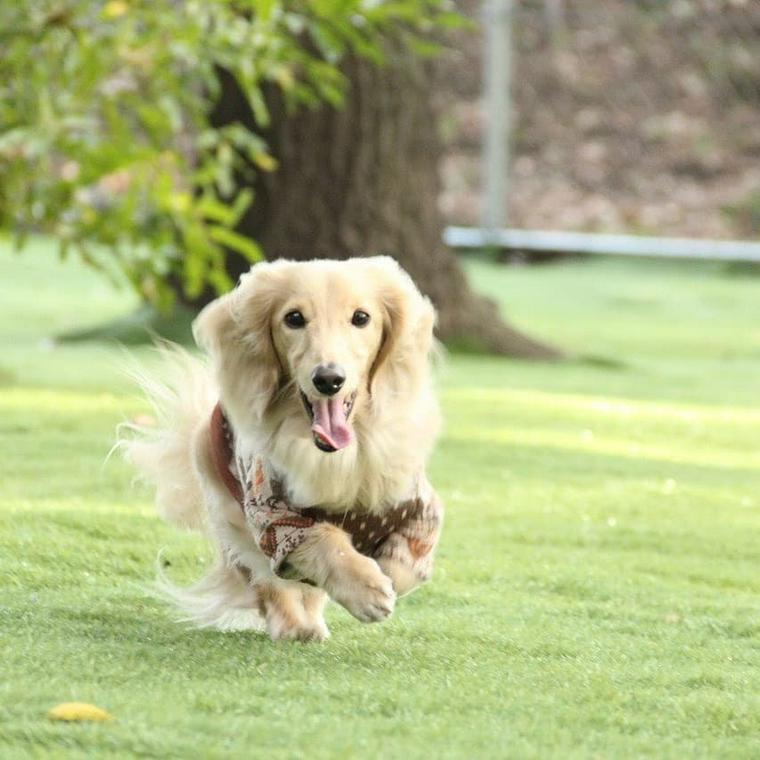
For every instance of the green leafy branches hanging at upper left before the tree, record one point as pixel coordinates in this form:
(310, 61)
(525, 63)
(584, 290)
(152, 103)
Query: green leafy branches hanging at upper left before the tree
(105, 137)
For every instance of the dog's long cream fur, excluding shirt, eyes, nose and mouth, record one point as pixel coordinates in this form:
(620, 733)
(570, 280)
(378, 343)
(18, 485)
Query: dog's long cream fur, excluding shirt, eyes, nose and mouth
(257, 370)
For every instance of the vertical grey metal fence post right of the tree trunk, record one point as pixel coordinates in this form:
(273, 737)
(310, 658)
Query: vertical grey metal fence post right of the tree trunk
(497, 60)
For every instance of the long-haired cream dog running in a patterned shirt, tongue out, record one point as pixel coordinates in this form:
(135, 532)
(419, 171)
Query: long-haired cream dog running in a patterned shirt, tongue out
(321, 372)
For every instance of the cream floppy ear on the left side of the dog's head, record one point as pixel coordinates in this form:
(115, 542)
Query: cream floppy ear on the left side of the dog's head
(236, 332)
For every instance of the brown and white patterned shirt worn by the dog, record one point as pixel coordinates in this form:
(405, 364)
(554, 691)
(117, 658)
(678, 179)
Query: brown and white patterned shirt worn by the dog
(409, 530)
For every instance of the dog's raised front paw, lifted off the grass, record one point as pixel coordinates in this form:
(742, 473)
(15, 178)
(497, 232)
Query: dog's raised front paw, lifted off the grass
(362, 588)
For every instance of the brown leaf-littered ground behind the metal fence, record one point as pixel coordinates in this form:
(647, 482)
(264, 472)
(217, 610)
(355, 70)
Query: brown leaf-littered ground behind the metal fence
(627, 115)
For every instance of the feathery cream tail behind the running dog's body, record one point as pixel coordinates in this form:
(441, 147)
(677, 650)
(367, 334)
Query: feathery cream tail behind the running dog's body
(161, 449)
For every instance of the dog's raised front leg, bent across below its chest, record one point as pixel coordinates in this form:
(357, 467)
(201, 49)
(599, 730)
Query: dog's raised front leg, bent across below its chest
(328, 559)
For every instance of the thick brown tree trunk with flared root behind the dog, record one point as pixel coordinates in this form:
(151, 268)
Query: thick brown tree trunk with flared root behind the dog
(363, 180)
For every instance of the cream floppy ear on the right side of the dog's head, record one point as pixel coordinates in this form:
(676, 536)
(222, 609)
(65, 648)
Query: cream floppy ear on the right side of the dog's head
(408, 322)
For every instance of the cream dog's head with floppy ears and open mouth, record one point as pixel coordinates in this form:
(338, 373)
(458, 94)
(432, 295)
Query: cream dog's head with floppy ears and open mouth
(325, 340)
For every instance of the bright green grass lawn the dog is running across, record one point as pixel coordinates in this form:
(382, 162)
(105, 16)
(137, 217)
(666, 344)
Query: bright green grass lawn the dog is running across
(597, 591)
